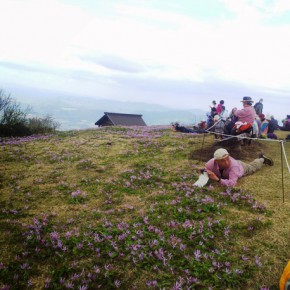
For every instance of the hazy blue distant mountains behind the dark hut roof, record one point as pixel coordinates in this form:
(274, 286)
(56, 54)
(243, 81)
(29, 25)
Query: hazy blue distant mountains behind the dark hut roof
(74, 112)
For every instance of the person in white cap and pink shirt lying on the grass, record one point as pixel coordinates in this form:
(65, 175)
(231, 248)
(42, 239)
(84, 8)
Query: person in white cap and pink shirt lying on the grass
(226, 170)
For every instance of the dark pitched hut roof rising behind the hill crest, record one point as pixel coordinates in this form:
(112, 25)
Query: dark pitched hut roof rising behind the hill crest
(113, 119)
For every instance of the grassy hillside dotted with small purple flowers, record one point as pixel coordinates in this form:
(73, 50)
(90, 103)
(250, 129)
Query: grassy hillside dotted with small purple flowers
(115, 208)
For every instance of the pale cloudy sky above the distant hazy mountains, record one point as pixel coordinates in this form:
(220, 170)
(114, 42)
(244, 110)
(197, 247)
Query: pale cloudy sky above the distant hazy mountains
(181, 54)
